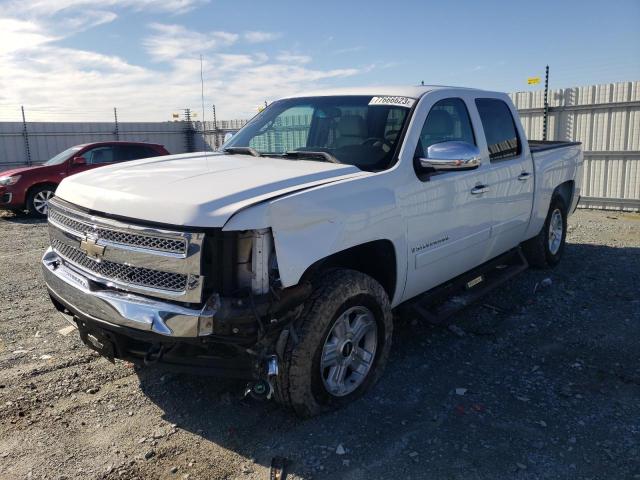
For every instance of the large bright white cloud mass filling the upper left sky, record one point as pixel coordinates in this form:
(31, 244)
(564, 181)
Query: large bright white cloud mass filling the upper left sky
(70, 84)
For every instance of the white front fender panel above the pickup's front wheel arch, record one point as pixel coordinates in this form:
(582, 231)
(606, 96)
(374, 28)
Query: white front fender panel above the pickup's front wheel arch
(313, 224)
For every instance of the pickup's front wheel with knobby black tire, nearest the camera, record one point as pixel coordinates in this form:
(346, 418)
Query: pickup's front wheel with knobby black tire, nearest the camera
(343, 342)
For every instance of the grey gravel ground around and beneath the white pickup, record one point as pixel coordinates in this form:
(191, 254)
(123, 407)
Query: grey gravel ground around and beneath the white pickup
(537, 380)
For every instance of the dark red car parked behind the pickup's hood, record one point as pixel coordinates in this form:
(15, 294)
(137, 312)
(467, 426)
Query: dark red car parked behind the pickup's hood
(30, 188)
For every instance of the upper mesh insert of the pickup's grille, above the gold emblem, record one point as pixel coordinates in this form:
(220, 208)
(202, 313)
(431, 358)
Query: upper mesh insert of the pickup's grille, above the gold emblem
(168, 245)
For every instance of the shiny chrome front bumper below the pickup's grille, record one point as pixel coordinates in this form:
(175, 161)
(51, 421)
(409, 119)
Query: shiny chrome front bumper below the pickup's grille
(84, 297)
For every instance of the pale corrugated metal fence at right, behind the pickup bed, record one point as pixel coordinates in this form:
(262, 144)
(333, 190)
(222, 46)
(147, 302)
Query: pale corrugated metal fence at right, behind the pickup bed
(606, 119)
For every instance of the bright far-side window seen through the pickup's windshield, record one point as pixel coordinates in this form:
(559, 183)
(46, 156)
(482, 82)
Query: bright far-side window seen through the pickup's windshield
(289, 131)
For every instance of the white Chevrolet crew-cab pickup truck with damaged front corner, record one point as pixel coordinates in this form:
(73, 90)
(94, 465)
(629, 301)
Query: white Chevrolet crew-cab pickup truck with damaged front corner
(280, 258)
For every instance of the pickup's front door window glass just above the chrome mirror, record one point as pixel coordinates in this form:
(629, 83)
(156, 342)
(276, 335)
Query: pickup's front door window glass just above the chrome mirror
(447, 121)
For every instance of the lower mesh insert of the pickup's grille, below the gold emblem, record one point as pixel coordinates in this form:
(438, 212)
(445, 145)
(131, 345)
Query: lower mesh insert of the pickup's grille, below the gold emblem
(143, 277)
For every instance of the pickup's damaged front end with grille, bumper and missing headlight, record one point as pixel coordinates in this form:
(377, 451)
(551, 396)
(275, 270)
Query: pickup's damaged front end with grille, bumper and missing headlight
(208, 303)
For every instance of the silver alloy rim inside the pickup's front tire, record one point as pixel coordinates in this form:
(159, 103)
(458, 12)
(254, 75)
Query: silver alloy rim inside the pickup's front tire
(349, 351)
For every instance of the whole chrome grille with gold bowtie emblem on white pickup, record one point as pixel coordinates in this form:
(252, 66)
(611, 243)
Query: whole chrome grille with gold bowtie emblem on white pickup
(136, 258)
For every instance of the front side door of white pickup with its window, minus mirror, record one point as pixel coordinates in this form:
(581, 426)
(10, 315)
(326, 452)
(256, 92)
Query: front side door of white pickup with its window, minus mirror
(449, 219)
